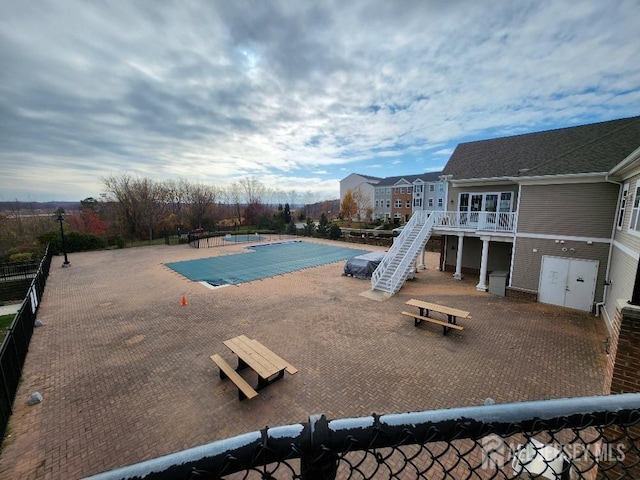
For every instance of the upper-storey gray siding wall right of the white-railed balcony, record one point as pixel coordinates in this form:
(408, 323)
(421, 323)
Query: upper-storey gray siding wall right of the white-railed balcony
(575, 209)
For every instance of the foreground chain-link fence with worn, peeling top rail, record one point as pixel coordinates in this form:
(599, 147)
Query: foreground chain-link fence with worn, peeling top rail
(578, 438)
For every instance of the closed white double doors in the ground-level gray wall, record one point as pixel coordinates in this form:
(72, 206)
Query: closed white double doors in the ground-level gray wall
(568, 282)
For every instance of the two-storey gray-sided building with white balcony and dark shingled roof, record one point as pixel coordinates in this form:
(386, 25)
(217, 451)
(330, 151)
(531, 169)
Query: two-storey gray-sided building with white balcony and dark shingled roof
(543, 207)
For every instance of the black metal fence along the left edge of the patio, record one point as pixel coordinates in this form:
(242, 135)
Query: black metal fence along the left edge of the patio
(15, 345)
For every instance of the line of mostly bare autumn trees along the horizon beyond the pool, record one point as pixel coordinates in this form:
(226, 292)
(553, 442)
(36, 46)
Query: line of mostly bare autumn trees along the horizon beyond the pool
(135, 208)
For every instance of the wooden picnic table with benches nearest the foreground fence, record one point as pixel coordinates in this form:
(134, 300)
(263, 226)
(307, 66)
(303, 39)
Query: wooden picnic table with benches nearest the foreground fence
(252, 354)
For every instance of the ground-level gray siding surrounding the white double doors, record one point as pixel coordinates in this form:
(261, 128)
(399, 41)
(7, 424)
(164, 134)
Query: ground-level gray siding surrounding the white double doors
(526, 264)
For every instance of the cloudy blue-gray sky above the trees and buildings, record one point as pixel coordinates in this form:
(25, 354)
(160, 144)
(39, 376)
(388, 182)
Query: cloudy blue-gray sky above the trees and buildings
(296, 93)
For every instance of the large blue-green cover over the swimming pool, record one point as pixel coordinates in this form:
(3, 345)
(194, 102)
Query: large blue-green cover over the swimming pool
(261, 261)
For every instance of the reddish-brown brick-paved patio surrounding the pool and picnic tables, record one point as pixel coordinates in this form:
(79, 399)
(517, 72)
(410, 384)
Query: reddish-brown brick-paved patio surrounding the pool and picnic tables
(126, 376)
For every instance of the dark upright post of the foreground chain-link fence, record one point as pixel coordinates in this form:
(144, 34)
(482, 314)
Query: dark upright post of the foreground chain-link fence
(324, 463)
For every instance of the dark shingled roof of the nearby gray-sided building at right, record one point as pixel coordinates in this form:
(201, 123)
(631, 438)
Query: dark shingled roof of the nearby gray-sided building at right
(592, 148)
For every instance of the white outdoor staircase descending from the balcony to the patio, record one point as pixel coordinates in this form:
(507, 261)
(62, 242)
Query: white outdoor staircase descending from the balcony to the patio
(398, 263)
